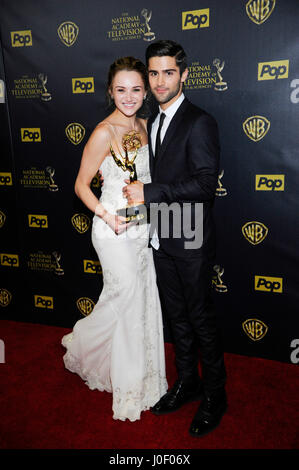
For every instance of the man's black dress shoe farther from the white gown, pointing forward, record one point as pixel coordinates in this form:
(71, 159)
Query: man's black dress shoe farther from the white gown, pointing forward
(209, 414)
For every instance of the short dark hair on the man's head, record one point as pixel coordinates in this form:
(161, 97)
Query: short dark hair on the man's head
(167, 48)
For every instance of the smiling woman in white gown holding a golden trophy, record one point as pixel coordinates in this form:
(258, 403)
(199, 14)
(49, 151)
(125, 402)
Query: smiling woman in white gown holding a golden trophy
(119, 347)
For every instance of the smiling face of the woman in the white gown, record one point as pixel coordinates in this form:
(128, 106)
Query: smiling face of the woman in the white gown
(128, 91)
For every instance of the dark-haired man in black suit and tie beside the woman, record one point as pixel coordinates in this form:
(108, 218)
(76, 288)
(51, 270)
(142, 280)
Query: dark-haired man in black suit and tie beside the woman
(184, 162)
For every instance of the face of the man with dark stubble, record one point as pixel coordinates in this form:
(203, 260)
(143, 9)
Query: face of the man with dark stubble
(165, 79)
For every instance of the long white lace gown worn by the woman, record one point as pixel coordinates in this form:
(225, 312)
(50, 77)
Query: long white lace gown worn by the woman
(119, 347)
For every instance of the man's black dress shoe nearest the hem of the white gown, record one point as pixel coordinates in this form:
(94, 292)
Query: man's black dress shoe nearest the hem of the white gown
(177, 396)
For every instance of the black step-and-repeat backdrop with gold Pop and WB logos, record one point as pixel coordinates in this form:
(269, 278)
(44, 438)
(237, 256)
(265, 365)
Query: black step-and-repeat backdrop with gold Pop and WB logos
(243, 69)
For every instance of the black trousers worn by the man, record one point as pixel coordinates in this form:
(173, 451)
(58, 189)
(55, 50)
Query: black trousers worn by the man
(185, 291)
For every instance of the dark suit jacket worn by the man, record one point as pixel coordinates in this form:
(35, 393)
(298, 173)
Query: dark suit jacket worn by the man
(186, 171)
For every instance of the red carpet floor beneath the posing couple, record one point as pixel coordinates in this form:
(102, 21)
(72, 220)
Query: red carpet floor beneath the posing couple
(44, 406)
